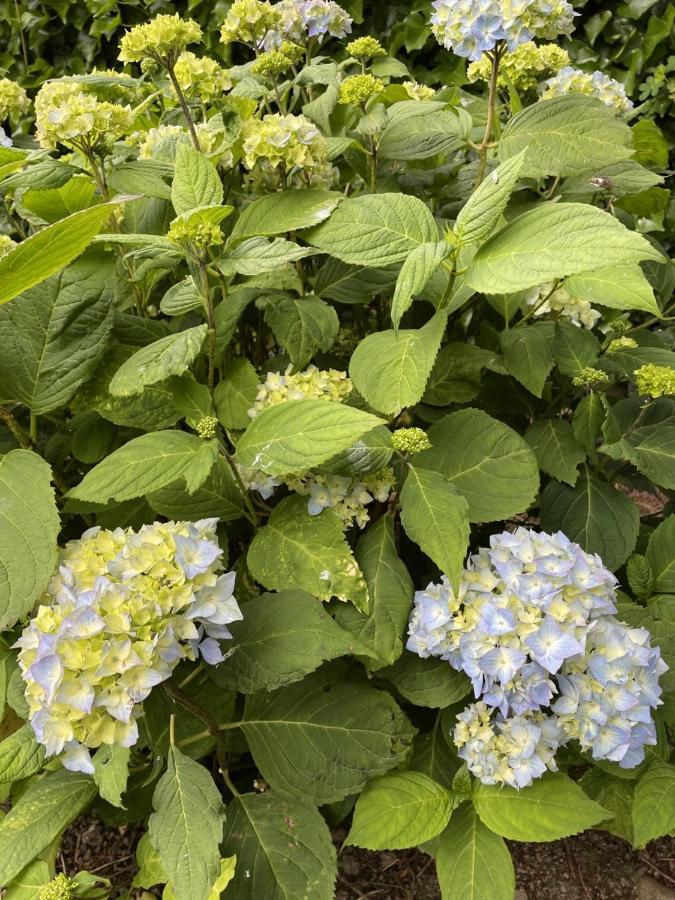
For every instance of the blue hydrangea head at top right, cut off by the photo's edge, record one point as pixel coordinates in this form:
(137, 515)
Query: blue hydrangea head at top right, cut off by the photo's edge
(472, 27)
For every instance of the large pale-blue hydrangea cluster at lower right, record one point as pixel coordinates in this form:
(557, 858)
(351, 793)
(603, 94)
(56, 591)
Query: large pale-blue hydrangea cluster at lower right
(532, 627)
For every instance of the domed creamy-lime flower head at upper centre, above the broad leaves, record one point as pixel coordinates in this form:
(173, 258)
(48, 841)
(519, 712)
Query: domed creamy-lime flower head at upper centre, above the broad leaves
(283, 140)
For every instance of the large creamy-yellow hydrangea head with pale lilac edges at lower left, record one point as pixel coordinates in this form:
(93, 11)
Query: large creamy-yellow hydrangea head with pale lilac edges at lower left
(124, 608)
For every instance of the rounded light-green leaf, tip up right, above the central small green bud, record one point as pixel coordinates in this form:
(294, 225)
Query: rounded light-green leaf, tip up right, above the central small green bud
(391, 370)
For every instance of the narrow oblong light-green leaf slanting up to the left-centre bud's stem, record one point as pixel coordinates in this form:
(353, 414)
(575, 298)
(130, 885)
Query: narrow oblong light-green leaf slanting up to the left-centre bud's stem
(172, 355)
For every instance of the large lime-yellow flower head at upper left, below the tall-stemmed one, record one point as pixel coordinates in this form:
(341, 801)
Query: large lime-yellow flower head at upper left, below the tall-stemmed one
(67, 113)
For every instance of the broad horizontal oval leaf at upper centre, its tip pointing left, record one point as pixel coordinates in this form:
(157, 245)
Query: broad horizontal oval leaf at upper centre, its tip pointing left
(375, 229)
